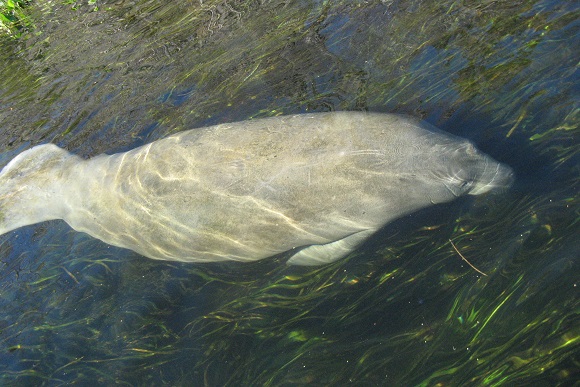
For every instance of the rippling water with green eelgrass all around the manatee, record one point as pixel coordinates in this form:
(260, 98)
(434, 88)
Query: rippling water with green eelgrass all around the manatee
(405, 309)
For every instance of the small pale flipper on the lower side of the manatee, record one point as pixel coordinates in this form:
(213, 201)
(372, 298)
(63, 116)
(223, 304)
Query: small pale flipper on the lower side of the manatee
(329, 252)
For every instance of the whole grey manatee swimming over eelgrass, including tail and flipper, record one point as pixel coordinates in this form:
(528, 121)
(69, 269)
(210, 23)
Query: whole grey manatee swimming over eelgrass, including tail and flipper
(249, 190)
